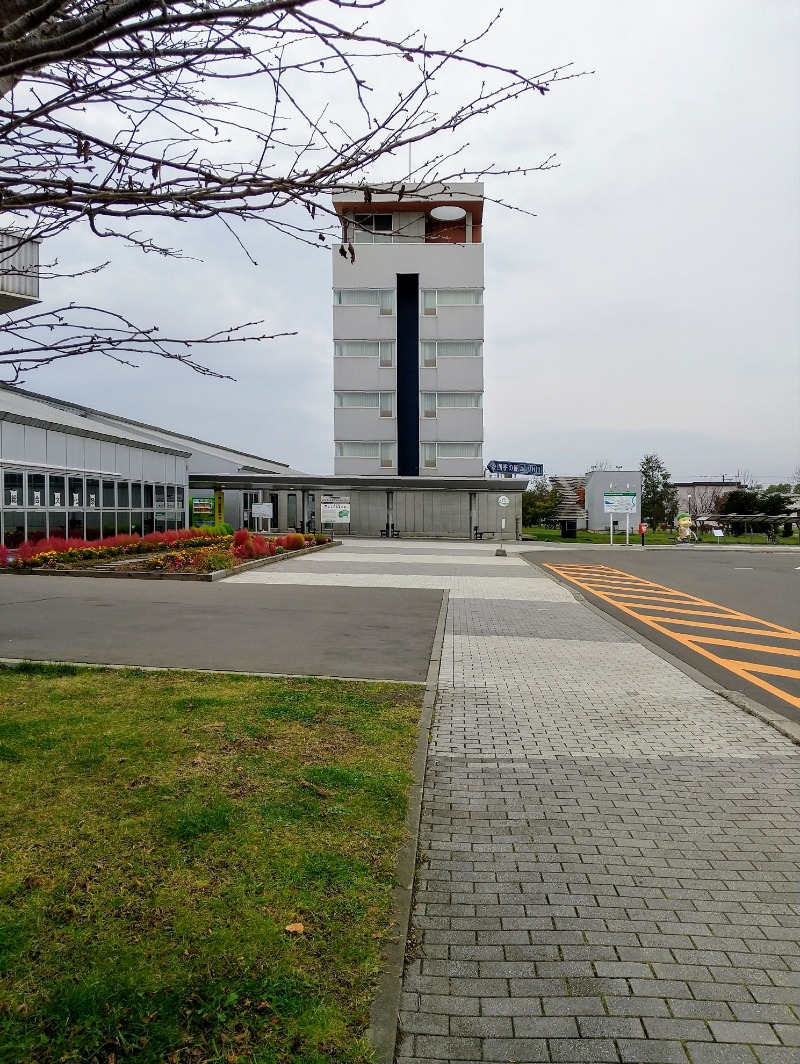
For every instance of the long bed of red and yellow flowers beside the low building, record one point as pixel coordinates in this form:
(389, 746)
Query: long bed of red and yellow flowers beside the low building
(186, 552)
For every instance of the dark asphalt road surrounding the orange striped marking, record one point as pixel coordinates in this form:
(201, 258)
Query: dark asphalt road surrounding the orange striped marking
(764, 585)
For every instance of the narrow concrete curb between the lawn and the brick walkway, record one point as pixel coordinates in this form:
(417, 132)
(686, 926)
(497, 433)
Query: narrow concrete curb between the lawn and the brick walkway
(385, 1018)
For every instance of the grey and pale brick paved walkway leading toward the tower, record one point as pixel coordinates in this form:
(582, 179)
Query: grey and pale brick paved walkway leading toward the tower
(610, 852)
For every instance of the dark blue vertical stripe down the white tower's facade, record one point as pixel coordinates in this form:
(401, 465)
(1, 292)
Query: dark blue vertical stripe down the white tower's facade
(408, 375)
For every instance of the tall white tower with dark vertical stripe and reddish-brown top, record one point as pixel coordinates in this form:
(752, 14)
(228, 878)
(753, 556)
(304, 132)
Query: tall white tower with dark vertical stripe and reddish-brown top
(408, 328)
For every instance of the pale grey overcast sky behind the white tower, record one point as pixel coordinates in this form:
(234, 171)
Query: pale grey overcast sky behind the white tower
(651, 306)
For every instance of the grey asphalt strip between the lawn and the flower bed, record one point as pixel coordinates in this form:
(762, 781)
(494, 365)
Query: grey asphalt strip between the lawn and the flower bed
(365, 633)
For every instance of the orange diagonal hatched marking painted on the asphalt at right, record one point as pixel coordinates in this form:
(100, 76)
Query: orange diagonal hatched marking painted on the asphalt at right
(642, 600)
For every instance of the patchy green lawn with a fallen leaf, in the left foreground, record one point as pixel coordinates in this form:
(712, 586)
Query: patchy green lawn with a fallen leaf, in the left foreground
(159, 832)
